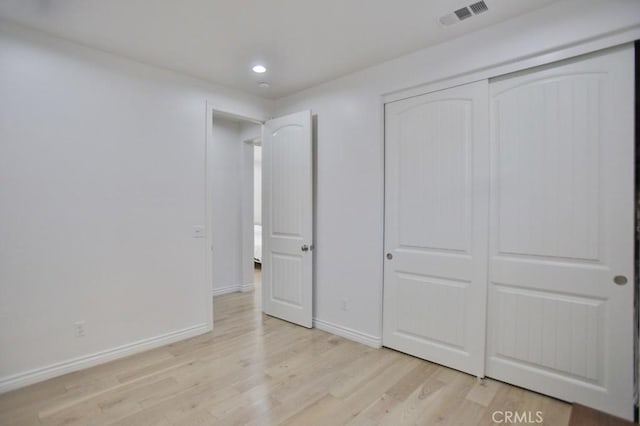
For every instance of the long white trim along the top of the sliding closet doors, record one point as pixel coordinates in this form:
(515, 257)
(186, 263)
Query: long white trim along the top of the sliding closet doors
(616, 38)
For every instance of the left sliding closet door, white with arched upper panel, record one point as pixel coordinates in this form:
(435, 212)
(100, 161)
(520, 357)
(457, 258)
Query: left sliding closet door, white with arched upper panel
(436, 226)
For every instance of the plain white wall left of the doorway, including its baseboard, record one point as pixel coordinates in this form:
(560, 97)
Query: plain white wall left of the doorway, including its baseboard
(102, 180)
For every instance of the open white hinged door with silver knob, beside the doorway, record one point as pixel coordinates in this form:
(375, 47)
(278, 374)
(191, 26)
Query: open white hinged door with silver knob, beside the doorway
(287, 222)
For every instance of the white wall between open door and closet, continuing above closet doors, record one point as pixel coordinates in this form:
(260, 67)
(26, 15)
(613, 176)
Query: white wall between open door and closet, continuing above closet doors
(349, 240)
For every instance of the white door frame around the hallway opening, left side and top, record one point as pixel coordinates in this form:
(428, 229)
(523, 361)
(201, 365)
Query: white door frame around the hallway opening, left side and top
(209, 152)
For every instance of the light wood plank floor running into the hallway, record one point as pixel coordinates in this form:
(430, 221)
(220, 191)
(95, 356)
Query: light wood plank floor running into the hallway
(258, 370)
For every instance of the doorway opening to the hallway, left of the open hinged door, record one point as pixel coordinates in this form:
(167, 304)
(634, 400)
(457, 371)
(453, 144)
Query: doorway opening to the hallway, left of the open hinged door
(235, 198)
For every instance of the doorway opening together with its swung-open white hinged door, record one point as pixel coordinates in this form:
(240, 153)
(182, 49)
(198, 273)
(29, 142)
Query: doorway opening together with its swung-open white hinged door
(286, 211)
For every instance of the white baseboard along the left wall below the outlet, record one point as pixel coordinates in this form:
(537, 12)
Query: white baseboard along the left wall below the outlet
(19, 380)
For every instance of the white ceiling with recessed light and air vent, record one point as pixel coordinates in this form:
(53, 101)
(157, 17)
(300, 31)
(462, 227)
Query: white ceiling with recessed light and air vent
(302, 42)
